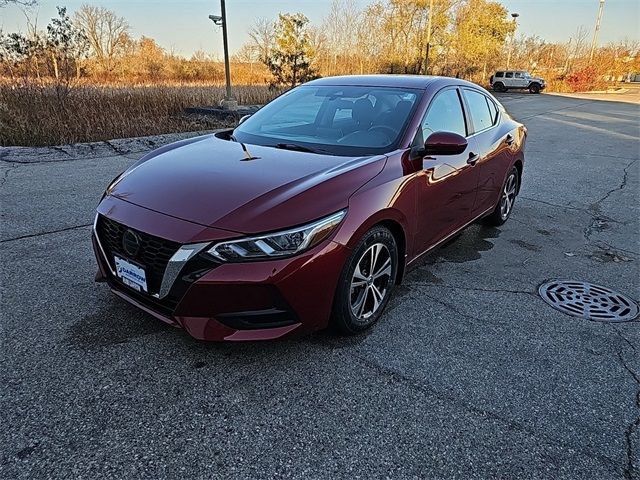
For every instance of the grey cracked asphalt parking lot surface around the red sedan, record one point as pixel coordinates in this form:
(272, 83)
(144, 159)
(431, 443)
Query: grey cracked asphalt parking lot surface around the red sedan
(468, 375)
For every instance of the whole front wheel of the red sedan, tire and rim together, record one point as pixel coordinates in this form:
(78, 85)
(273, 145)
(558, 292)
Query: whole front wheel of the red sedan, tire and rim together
(357, 304)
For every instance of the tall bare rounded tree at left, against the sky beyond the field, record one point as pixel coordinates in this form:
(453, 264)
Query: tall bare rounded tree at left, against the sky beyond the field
(108, 34)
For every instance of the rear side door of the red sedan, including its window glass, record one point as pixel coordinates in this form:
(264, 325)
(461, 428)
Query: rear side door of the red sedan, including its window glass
(492, 142)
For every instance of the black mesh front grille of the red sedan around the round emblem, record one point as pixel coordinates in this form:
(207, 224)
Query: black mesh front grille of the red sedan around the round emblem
(153, 255)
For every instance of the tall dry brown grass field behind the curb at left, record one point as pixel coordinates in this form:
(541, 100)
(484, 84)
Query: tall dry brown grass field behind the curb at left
(38, 115)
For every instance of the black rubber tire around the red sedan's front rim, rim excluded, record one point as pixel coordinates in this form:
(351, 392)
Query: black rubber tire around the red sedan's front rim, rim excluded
(343, 318)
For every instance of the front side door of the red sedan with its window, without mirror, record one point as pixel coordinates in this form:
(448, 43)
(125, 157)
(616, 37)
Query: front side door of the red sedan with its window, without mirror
(447, 184)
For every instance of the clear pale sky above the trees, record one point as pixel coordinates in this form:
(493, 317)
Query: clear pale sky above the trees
(183, 26)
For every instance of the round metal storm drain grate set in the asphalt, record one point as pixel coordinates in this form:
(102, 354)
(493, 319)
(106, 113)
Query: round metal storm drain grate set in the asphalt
(586, 300)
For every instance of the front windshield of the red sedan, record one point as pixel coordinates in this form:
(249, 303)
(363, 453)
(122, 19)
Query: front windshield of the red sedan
(341, 120)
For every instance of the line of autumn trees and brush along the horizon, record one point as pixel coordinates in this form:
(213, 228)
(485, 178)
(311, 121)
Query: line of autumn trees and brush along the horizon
(464, 38)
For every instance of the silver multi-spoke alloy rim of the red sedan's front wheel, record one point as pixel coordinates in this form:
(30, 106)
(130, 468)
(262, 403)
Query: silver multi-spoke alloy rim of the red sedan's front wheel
(370, 281)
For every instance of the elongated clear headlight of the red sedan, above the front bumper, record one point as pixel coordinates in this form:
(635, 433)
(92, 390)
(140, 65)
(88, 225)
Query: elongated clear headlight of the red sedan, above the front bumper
(278, 244)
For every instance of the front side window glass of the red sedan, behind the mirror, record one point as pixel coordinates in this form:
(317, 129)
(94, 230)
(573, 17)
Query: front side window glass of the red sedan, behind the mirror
(444, 115)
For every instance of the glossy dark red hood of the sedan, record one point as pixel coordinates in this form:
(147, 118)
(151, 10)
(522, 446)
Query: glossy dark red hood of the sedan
(209, 181)
